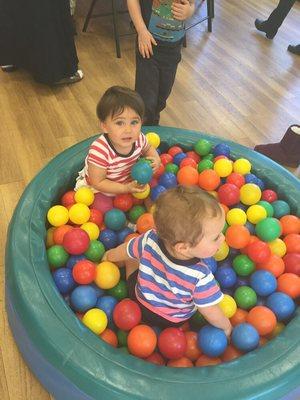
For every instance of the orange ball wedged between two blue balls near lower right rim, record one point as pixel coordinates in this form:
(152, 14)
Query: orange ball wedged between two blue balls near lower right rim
(263, 319)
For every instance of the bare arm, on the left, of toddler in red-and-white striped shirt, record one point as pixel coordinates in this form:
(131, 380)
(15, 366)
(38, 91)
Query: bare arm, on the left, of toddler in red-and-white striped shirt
(98, 180)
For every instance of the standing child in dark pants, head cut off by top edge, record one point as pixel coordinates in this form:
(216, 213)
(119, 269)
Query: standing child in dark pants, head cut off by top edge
(160, 32)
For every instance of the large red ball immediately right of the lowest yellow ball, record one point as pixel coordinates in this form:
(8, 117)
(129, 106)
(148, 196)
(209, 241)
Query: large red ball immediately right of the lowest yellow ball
(127, 314)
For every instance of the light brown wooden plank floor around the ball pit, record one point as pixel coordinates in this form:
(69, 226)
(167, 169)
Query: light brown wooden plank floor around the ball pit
(233, 83)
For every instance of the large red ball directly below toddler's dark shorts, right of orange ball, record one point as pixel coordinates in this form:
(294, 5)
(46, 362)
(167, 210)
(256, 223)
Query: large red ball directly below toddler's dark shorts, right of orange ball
(172, 343)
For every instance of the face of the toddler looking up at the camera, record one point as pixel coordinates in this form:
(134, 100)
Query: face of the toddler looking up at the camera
(123, 129)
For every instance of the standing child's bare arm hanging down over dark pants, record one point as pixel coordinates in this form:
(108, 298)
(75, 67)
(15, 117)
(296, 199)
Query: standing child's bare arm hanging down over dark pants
(145, 39)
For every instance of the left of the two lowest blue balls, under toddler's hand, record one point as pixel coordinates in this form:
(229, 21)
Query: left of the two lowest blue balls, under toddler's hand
(212, 341)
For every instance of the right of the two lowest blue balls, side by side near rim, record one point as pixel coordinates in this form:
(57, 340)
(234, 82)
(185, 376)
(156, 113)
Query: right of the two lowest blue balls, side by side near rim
(245, 337)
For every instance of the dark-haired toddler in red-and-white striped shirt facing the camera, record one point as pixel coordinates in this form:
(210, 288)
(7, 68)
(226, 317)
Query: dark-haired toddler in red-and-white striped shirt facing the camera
(111, 156)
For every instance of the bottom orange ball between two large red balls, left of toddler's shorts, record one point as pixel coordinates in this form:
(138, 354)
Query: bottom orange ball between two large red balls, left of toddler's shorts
(141, 341)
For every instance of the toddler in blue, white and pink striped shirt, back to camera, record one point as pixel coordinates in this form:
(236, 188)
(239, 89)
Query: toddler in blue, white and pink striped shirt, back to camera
(170, 281)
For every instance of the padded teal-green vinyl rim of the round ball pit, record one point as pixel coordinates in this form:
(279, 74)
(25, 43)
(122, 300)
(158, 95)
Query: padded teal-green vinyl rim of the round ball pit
(94, 367)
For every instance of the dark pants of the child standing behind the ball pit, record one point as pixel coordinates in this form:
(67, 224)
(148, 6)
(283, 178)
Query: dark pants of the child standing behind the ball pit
(155, 78)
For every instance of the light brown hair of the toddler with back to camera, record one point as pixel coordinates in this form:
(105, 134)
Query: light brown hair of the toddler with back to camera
(179, 212)
